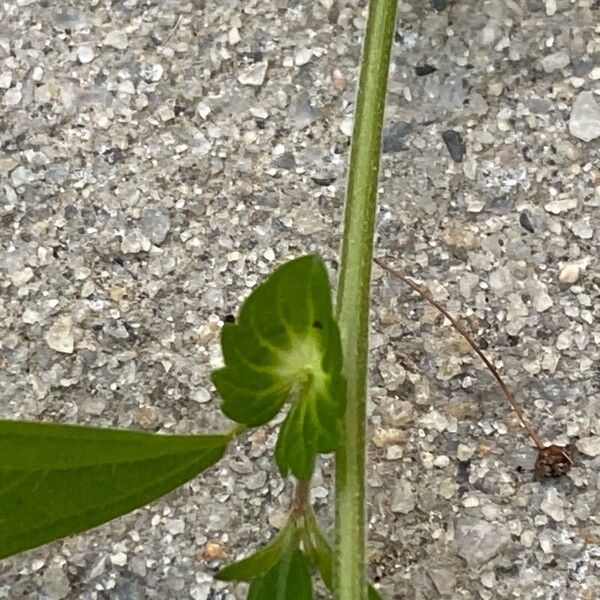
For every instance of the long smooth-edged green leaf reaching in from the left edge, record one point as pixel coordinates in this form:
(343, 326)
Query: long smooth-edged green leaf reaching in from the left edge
(56, 480)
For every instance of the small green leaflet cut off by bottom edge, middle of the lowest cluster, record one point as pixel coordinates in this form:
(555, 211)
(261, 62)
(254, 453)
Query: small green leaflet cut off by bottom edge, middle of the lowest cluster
(288, 579)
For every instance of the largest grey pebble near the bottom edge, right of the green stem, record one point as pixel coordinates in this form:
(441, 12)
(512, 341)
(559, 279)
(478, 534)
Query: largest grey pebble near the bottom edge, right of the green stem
(478, 541)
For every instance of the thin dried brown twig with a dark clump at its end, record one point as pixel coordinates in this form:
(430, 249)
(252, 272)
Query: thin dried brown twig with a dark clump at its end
(552, 460)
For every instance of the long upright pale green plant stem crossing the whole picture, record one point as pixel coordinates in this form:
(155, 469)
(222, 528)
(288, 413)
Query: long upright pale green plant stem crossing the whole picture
(353, 297)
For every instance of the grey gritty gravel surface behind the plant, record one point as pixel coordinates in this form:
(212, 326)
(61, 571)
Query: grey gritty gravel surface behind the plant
(158, 159)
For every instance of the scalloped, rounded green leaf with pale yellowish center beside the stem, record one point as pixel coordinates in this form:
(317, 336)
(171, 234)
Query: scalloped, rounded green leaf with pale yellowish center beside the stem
(286, 345)
